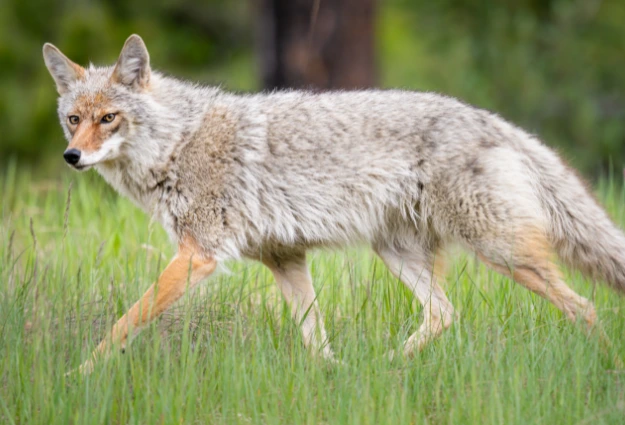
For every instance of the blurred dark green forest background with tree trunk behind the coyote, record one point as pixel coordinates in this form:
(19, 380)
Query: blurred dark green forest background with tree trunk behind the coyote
(554, 67)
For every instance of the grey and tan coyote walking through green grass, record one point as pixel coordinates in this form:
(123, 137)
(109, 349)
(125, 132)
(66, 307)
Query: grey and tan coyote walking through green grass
(269, 176)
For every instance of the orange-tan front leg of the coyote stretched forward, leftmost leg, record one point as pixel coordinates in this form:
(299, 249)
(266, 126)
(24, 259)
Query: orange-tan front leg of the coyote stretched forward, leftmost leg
(186, 269)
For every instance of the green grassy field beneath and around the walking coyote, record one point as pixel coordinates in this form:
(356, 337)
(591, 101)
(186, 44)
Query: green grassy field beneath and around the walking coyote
(72, 261)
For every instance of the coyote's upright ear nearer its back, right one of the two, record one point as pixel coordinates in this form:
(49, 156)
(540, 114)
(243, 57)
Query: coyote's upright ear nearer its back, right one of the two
(133, 66)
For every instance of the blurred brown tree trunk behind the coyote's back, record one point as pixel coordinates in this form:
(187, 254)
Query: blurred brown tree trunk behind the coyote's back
(316, 44)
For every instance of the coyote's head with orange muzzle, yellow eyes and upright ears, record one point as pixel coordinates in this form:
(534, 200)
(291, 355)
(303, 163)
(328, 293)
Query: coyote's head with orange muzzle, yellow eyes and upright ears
(102, 109)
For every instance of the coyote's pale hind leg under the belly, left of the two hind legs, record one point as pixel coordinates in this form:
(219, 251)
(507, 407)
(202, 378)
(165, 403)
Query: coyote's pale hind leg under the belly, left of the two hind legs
(414, 266)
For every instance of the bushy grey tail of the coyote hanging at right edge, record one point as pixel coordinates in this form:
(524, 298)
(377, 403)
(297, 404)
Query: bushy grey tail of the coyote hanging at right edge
(582, 233)
